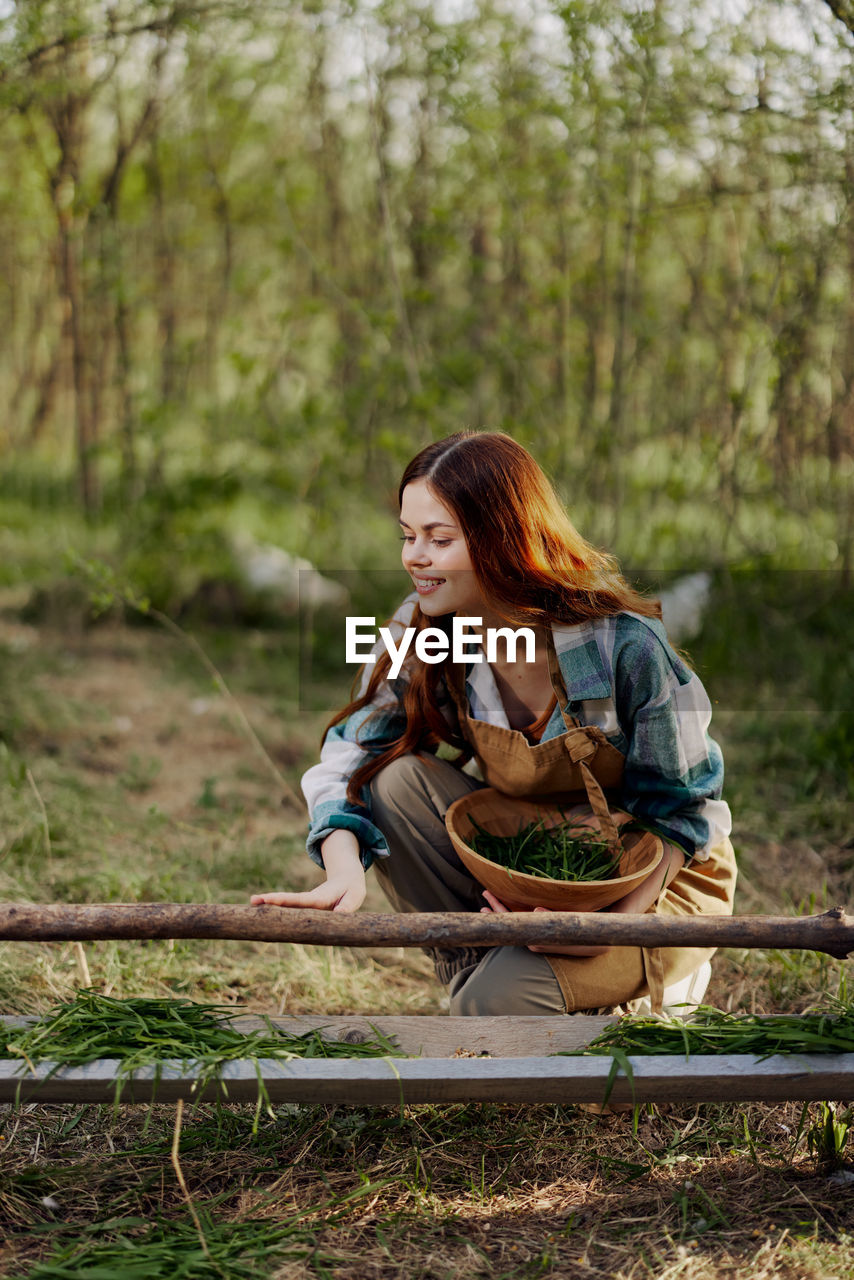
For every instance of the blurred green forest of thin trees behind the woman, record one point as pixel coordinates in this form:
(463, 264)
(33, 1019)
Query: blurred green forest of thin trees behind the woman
(254, 255)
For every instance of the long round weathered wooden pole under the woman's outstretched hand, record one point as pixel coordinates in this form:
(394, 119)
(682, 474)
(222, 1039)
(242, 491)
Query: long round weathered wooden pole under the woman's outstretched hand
(833, 932)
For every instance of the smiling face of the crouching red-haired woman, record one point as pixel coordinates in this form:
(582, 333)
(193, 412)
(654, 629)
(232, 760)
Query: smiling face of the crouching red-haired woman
(436, 555)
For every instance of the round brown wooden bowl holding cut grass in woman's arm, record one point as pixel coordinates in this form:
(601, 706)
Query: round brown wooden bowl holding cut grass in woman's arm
(503, 816)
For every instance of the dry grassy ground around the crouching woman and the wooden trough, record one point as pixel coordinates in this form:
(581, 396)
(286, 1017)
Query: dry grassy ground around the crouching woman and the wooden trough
(175, 807)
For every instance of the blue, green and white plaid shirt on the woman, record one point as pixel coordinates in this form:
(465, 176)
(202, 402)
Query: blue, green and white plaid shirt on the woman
(622, 675)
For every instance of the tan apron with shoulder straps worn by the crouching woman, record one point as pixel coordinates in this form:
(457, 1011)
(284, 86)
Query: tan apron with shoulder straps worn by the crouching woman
(556, 770)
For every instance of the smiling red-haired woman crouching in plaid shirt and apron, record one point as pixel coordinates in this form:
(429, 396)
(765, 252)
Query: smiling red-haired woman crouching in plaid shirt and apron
(485, 537)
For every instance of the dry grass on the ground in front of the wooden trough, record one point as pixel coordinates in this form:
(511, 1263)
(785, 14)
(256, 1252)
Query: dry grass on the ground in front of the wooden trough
(451, 1191)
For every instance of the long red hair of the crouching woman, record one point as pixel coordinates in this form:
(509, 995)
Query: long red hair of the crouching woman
(532, 565)
